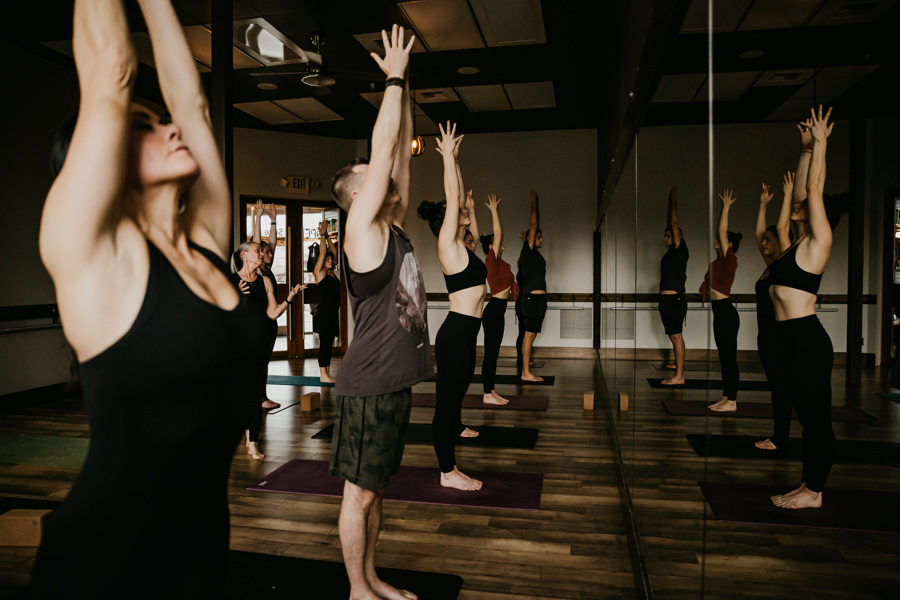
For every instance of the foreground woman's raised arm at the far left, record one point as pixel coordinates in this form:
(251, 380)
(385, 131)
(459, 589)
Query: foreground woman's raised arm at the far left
(82, 210)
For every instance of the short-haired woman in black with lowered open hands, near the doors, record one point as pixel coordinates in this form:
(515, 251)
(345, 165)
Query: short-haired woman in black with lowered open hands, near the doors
(248, 278)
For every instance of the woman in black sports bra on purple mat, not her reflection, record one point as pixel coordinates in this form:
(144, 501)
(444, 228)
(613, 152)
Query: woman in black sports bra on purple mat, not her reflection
(455, 343)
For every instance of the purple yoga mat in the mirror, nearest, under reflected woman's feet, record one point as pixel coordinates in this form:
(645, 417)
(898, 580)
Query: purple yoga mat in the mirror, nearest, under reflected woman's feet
(861, 510)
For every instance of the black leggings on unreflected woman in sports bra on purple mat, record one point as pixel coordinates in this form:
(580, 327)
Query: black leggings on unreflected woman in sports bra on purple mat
(454, 353)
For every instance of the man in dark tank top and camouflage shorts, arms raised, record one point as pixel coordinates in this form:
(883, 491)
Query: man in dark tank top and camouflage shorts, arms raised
(390, 351)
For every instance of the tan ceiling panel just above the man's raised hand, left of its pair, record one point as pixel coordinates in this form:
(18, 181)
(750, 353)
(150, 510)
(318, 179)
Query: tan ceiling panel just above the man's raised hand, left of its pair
(443, 24)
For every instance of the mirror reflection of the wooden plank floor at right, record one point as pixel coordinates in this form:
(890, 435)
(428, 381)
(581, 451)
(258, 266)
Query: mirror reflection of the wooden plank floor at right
(748, 561)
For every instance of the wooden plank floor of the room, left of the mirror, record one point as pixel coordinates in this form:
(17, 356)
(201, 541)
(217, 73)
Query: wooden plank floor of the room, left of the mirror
(574, 547)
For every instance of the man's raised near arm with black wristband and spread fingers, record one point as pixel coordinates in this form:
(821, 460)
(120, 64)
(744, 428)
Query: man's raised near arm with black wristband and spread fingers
(366, 238)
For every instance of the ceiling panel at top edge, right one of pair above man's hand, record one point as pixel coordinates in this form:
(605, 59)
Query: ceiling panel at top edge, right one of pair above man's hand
(510, 22)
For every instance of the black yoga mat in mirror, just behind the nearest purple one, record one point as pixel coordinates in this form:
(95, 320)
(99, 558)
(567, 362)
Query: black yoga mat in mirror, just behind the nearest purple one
(859, 452)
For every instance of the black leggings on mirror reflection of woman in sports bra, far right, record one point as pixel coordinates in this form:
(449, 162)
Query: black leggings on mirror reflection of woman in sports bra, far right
(804, 360)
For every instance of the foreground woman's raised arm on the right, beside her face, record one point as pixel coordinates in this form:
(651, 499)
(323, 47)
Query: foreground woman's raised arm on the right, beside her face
(207, 215)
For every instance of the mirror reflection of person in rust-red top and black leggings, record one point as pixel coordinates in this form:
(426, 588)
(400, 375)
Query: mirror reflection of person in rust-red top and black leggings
(726, 322)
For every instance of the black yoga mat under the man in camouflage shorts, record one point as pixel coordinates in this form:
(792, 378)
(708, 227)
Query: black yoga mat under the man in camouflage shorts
(252, 575)
